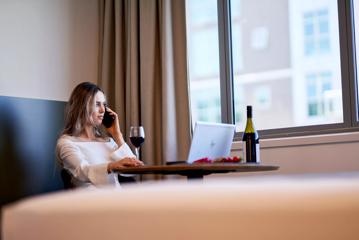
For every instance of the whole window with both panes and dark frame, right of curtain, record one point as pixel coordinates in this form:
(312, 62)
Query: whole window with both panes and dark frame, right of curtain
(284, 59)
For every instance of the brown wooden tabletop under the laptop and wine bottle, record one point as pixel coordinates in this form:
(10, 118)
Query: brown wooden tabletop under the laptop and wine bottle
(197, 171)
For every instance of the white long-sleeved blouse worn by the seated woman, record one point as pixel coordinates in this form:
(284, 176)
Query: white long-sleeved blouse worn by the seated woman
(87, 160)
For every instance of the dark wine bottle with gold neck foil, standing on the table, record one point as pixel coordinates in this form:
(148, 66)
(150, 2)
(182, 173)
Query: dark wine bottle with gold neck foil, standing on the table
(250, 140)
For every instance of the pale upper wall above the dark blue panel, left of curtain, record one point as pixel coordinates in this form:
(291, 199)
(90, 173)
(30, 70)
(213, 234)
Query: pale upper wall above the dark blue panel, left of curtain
(47, 47)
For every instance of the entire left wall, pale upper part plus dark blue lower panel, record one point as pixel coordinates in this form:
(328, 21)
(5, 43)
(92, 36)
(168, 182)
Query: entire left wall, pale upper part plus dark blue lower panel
(46, 48)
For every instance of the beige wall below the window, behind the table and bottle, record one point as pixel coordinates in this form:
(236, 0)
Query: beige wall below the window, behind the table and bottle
(307, 155)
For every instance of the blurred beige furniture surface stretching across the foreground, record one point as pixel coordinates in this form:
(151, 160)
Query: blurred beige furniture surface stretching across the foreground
(276, 207)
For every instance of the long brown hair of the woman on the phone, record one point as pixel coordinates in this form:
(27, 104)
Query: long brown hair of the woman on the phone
(79, 109)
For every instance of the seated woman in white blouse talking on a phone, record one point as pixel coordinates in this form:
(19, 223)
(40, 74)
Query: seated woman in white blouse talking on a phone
(88, 151)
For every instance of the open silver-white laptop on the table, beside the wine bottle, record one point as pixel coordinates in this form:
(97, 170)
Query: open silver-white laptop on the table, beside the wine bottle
(210, 140)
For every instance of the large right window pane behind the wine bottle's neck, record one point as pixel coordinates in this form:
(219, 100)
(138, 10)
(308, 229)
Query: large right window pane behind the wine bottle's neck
(286, 62)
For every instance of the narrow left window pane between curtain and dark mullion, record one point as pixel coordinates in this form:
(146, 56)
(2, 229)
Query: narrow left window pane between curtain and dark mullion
(203, 60)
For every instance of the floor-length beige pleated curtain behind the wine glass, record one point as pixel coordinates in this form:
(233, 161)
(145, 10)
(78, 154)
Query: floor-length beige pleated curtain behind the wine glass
(143, 71)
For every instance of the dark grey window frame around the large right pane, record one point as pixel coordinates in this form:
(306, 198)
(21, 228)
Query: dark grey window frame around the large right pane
(348, 76)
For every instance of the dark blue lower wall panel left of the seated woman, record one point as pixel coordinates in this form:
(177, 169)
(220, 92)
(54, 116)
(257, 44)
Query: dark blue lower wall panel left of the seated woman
(28, 132)
